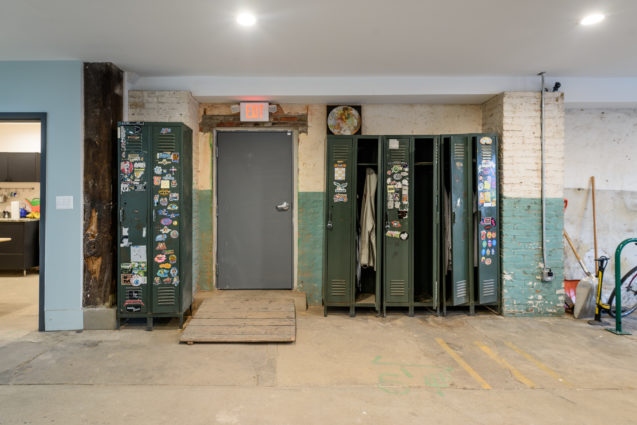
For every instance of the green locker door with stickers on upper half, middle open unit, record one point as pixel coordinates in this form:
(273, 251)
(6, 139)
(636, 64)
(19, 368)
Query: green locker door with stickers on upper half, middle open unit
(397, 244)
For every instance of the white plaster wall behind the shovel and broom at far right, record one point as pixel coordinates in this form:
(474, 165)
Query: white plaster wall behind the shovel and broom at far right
(600, 143)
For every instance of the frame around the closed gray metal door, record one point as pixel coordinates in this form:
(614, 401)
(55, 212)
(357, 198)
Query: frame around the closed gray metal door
(295, 195)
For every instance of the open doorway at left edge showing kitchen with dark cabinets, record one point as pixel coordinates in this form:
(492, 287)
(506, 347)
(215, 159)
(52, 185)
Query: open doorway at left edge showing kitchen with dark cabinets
(22, 209)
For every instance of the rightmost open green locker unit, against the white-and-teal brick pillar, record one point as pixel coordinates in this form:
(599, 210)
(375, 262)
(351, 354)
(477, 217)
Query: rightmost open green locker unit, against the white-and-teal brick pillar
(470, 245)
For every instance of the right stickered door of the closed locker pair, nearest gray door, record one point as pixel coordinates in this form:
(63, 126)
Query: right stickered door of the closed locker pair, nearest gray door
(166, 216)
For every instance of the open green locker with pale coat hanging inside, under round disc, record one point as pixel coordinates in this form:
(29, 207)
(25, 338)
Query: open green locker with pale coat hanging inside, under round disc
(353, 225)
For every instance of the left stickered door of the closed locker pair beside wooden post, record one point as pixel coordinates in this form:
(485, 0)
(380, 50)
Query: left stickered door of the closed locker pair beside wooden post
(133, 285)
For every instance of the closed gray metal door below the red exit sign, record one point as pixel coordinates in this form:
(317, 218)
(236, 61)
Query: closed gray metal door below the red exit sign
(254, 201)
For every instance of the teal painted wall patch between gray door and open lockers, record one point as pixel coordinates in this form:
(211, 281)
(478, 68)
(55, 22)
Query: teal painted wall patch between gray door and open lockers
(310, 245)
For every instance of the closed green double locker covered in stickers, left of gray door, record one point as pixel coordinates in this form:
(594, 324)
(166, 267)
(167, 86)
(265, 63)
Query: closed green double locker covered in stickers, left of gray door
(155, 220)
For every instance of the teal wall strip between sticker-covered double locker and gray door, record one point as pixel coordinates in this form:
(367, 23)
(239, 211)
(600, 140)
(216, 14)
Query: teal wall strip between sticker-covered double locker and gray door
(203, 239)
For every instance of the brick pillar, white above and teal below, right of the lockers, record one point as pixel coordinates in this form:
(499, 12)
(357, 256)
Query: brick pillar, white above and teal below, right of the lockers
(515, 116)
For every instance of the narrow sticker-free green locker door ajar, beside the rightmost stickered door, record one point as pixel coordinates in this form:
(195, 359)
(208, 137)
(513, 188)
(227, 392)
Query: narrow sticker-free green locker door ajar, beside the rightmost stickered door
(461, 211)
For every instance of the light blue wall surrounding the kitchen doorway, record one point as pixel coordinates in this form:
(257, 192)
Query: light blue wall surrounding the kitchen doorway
(56, 88)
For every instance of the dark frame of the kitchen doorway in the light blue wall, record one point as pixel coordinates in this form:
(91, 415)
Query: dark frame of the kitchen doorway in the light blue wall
(41, 117)
